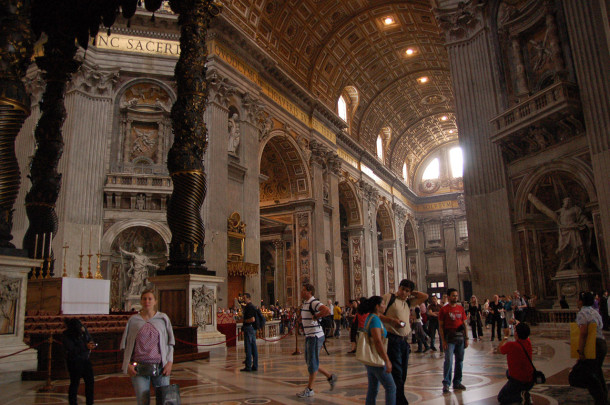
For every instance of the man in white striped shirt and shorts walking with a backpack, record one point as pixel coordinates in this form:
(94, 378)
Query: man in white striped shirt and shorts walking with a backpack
(311, 312)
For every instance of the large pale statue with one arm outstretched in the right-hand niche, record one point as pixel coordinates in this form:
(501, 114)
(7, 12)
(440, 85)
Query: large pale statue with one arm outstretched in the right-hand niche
(575, 233)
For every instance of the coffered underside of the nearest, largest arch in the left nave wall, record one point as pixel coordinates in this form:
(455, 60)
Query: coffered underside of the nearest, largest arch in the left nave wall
(283, 169)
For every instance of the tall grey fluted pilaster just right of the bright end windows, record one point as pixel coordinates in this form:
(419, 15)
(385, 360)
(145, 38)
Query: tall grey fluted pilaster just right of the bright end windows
(470, 53)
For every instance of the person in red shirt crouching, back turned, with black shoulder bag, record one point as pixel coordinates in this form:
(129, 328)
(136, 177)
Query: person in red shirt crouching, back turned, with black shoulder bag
(520, 370)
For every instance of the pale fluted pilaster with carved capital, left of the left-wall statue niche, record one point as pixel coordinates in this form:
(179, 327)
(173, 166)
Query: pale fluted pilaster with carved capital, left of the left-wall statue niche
(80, 204)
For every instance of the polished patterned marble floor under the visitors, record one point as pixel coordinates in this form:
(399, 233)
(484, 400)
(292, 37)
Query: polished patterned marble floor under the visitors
(281, 375)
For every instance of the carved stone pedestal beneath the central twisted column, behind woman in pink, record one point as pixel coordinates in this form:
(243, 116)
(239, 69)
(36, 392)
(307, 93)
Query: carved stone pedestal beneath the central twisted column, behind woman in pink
(191, 300)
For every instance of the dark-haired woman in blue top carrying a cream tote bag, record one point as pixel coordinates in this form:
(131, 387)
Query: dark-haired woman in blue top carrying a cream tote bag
(372, 352)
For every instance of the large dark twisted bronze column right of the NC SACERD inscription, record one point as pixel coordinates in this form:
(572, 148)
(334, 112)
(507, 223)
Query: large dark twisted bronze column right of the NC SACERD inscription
(185, 158)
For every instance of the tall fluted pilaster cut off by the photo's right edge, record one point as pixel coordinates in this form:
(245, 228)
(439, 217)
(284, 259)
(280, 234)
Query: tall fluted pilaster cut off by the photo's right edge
(587, 23)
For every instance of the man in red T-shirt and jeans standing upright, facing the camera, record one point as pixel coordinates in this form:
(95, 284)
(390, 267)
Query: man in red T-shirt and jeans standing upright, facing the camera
(454, 339)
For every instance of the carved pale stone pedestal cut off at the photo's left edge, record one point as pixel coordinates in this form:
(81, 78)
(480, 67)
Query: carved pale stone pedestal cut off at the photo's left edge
(13, 291)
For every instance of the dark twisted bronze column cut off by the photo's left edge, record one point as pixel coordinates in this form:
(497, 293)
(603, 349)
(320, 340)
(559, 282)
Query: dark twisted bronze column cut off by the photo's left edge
(16, 45)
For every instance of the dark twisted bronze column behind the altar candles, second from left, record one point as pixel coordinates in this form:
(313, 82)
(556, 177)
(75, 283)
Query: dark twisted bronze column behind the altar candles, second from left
(57, 65)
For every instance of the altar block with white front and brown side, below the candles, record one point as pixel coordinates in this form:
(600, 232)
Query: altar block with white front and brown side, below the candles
(68, 296)
